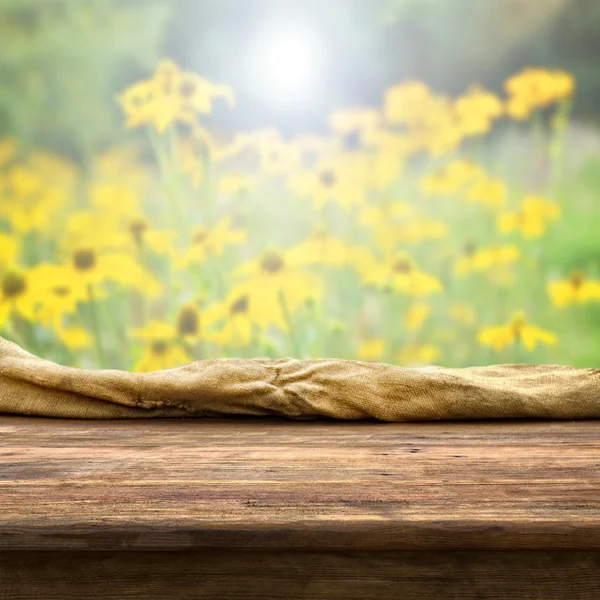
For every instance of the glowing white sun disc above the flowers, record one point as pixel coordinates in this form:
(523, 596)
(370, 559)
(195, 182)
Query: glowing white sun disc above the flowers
(286, 65)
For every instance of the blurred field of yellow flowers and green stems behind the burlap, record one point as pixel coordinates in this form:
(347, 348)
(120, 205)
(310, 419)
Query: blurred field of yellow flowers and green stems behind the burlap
(400, 236)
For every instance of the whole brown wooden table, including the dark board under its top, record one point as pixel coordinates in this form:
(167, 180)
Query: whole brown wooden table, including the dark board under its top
(267, 508)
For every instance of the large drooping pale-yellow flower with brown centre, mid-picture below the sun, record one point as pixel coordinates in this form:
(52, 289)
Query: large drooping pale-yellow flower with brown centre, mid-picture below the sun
(275, 285)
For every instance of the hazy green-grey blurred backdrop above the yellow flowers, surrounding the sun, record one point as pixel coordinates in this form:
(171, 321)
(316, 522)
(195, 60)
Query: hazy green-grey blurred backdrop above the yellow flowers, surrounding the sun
(63, 61)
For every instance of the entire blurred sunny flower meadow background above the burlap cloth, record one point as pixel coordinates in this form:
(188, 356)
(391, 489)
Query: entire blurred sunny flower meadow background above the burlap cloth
(335, 185)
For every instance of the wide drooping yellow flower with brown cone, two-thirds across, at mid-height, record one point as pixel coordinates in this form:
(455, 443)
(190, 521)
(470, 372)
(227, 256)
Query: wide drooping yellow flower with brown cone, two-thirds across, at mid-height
(401, 274)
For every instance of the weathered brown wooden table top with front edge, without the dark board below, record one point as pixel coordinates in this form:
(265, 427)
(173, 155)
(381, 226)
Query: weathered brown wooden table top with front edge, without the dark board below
(271, 483)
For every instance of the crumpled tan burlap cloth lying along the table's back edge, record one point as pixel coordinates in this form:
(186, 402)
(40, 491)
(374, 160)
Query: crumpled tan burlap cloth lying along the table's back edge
(298, 389)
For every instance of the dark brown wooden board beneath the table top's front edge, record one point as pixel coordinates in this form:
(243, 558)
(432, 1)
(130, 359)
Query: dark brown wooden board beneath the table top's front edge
(218, 574)
